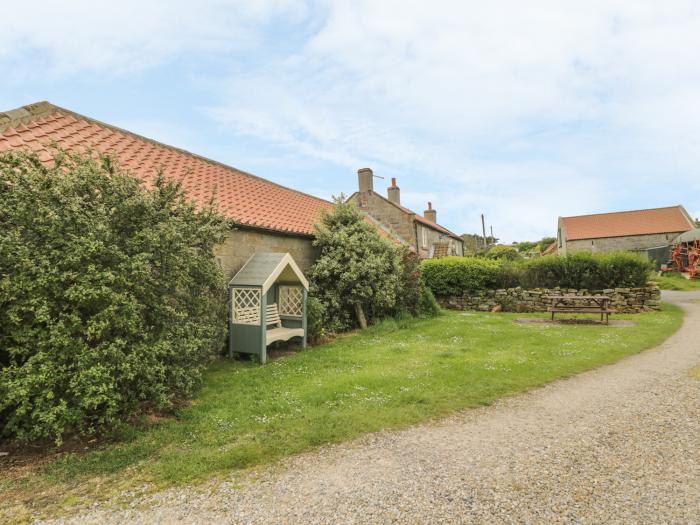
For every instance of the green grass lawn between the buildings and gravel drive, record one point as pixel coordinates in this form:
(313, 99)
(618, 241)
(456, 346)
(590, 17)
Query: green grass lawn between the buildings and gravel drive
(393, 375)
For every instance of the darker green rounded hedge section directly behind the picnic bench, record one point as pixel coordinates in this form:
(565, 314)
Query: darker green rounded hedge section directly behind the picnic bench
(588, 271)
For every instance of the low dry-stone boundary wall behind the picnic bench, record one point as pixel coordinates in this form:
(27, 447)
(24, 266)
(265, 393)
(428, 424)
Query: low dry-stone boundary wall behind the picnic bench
(623, 300)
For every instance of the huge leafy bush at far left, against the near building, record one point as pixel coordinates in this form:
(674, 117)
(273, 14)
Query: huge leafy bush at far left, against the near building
(110, 296)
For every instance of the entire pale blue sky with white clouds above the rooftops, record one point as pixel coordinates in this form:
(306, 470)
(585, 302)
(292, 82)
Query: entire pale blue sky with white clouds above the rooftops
(522, 111)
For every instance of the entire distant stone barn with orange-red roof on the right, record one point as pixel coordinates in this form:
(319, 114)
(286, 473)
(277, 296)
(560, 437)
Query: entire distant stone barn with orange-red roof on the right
(626, 230)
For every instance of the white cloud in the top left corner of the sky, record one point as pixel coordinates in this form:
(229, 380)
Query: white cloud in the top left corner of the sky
(40, 37)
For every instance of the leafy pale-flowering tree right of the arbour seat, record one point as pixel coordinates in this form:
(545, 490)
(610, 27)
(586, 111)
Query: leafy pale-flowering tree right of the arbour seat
(357, 273)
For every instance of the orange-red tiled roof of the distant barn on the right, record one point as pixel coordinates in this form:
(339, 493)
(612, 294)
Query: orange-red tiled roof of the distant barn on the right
(625, 223)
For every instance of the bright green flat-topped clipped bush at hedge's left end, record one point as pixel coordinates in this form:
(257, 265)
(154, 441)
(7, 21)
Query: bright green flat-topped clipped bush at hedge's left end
(452, 276)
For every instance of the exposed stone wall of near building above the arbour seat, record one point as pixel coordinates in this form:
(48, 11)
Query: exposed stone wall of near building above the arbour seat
(242, 243)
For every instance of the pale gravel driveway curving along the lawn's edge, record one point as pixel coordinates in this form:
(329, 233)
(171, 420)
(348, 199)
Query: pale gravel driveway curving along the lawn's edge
(620, 444)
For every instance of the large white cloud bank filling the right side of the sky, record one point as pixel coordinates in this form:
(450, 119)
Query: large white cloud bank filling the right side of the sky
(525, 110)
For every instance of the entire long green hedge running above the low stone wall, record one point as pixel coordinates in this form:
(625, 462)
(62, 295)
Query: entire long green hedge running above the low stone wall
(453, 276)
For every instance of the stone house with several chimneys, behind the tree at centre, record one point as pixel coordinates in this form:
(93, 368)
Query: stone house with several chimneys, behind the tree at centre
(421, 232)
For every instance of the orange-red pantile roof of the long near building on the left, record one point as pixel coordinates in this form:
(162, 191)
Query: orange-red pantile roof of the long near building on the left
(246, 199)
